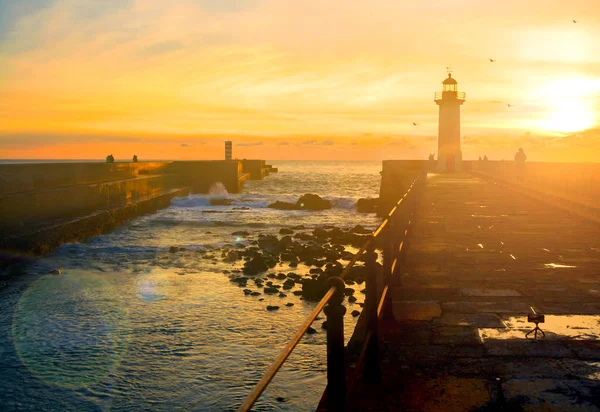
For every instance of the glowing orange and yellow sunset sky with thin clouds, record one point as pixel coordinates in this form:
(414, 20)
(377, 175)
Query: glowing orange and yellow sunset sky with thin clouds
(296, 79)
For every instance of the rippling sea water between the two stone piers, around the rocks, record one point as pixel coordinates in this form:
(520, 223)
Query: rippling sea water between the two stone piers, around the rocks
(129, 326)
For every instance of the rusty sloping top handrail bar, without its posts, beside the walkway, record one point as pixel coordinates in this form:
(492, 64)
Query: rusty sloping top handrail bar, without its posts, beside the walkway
(259, 388)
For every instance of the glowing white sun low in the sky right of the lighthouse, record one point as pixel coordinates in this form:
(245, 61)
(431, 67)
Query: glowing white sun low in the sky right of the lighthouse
(569, 117)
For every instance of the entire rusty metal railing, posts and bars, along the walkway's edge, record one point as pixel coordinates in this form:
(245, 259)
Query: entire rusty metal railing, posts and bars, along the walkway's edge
(336, 391)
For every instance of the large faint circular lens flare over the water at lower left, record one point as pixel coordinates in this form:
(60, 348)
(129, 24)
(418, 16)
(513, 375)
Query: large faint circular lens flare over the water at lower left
(69, 329)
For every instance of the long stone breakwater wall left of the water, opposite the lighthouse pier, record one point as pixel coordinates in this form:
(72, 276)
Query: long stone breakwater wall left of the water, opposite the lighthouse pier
(45, 204)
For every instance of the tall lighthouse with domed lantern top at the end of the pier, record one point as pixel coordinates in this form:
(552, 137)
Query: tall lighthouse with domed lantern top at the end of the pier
(449, 101)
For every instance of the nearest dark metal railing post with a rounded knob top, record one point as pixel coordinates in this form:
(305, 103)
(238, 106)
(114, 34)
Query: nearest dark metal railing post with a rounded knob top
(336, 365)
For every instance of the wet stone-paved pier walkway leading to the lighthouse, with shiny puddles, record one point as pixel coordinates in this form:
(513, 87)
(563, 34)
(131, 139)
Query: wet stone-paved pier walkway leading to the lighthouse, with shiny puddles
(479, 257)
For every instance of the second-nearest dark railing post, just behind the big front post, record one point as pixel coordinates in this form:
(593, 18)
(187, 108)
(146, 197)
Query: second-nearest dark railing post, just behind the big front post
(372, 370)
